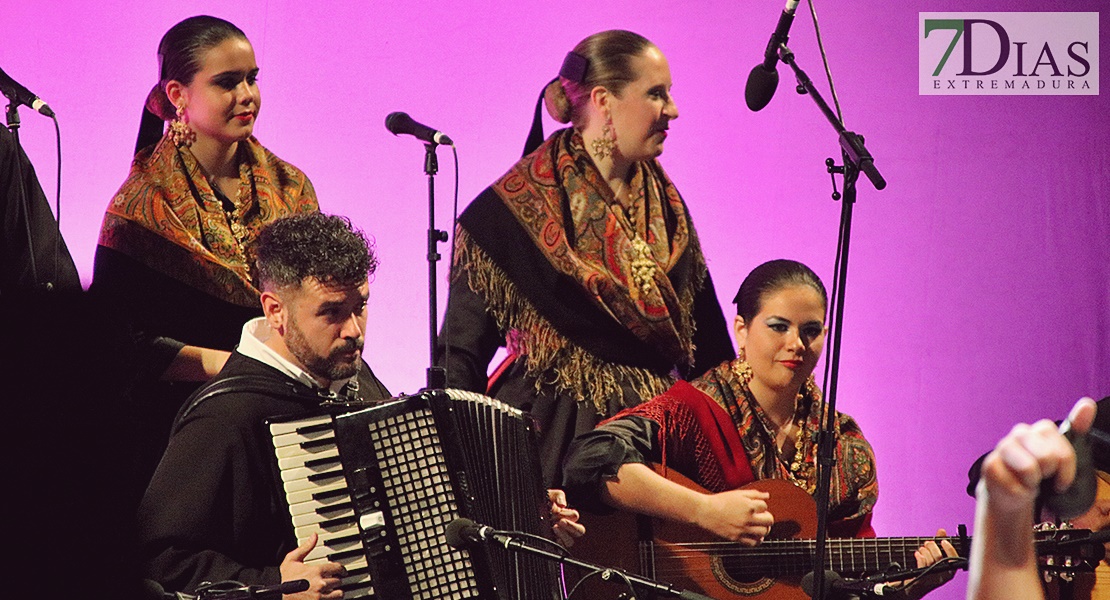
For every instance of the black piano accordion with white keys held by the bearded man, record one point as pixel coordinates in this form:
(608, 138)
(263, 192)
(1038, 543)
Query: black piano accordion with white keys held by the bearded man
(380, 485)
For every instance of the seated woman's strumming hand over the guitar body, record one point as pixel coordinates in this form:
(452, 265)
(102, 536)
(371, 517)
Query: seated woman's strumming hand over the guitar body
(739, 515)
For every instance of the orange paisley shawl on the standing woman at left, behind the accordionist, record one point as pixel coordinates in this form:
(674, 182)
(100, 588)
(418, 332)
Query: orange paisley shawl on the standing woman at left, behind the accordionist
(168, 218)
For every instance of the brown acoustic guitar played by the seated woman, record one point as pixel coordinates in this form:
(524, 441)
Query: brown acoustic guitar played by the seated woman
(693, 560)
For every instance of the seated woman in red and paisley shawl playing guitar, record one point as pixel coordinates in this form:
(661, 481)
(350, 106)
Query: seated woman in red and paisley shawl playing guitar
(750, 420)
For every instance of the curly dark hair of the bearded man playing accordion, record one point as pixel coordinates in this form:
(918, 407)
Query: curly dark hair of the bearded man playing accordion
(327, 248)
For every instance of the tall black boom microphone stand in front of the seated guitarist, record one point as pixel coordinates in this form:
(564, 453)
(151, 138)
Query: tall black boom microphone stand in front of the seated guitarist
(856, 160)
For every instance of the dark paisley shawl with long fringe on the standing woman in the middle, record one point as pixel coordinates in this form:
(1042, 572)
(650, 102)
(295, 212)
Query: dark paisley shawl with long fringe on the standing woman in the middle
(551, 252)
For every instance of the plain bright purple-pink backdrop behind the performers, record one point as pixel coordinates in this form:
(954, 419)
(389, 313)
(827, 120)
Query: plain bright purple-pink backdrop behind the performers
(980, 281)
